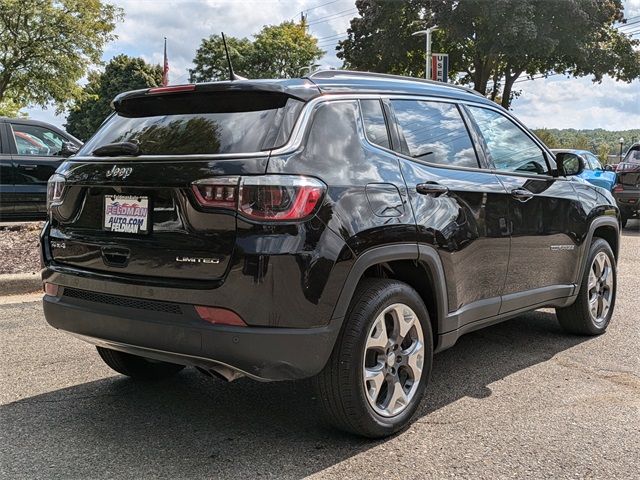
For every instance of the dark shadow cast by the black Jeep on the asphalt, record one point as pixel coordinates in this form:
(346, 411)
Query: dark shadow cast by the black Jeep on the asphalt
(193, 426)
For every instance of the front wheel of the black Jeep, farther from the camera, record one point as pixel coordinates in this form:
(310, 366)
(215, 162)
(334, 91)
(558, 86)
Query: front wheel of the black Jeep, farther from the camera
(580, 318)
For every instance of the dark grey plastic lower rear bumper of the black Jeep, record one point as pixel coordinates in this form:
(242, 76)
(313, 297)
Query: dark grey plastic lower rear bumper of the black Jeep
(180, 336)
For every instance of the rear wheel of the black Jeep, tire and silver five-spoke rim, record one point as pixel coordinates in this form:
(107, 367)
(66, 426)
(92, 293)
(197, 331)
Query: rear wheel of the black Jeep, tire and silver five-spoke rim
(346, 402)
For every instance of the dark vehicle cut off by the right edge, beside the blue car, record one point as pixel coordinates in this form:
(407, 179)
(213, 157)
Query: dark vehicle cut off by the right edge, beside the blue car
(627, 190)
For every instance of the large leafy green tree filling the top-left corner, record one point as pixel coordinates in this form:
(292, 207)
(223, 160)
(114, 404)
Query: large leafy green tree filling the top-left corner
(46, 46)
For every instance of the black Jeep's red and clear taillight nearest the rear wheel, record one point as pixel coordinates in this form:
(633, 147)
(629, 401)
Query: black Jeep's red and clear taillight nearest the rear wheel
(279, 198)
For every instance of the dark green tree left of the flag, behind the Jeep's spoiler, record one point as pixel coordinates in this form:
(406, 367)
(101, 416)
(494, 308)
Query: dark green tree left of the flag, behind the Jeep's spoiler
(122, 73)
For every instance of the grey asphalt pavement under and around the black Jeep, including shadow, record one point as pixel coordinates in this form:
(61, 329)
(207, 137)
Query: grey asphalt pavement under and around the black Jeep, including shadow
(516, 400)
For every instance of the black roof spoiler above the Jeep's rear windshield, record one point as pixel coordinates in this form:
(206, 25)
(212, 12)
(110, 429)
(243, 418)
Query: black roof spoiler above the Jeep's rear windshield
(236, 96)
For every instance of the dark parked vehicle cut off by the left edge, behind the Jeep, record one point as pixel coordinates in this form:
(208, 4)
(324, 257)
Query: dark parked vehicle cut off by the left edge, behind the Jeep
(30, 152)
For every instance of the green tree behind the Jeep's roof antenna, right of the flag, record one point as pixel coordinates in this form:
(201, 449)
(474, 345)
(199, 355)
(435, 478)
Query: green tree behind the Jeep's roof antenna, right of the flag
(277, 51)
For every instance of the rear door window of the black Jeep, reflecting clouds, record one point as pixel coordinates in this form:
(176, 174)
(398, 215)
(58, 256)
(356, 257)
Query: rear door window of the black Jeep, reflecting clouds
(435, 132)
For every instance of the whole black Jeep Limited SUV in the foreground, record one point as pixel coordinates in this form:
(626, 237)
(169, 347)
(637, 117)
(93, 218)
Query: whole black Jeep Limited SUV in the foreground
(343, 226)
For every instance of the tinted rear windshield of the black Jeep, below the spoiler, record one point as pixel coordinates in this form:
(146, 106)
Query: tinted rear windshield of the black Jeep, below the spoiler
(213, 124)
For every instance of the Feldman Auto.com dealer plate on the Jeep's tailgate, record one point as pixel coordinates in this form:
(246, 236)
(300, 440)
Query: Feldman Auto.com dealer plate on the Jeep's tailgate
(128, 214)
